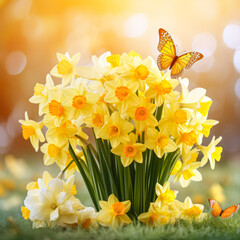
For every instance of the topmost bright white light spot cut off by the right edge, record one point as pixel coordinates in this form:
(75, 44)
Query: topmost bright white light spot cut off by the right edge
(231, 35)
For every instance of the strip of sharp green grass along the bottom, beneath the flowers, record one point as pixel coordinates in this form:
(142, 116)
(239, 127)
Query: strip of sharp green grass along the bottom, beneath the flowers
(208, 229)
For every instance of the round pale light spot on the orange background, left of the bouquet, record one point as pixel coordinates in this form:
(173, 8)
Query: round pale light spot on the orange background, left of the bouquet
(16, 62)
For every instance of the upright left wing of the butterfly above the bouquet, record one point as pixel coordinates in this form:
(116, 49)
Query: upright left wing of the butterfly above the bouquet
(167, 49)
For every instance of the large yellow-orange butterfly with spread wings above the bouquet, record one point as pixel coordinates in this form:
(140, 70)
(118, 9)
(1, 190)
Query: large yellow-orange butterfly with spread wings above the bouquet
(168, 57)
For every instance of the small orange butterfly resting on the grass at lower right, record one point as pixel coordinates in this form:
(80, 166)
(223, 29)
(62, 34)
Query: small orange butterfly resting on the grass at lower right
(217, 211)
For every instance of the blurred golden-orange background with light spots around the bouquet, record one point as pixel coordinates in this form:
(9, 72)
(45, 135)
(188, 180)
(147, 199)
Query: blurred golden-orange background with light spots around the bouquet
(32, 31)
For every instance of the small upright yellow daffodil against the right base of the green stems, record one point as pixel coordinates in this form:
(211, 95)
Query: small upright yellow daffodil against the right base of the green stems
(164, 193)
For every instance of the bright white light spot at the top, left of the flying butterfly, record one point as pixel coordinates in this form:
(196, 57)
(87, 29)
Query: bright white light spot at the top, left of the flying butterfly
(136, 25)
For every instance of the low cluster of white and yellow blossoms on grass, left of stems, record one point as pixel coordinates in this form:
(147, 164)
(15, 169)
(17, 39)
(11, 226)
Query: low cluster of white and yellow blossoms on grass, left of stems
(51, 202)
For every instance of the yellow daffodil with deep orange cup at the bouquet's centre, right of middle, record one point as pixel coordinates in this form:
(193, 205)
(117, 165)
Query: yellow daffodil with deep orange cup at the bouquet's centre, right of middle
(143, 115)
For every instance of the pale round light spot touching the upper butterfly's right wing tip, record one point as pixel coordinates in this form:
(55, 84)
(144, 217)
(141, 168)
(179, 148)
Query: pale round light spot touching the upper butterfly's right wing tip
(204, 43)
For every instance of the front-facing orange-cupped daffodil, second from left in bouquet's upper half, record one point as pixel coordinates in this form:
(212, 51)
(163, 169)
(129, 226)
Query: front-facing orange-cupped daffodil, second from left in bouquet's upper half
(78, 100)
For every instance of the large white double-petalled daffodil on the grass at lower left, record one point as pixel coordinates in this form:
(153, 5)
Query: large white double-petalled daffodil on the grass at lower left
(53, 205)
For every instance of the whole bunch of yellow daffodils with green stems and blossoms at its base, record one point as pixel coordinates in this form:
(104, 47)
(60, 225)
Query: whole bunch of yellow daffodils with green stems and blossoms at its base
(141, 130)
